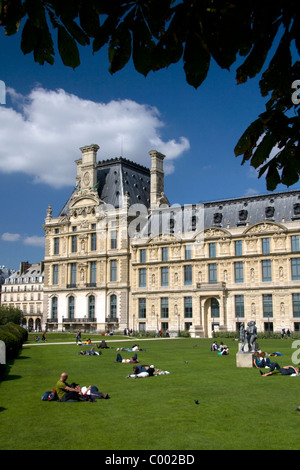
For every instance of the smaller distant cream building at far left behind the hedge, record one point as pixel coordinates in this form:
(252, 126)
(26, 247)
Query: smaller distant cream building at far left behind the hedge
(24, 290)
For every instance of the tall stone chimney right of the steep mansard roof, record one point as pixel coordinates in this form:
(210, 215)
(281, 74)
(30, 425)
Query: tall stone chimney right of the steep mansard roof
(157, 195)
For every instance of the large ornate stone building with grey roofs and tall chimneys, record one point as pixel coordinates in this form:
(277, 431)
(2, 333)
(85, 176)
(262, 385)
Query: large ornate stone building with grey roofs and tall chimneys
(120, 255)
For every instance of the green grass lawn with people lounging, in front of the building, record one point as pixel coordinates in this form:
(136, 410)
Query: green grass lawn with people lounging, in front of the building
(238, 409)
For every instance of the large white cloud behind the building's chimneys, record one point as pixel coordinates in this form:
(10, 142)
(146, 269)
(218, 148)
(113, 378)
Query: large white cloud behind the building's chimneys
(42, 134)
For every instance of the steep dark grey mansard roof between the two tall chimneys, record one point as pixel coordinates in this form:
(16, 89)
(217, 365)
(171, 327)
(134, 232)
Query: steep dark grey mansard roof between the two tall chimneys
(115, 178)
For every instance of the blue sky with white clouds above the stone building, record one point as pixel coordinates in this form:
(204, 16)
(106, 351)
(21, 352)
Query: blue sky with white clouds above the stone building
(51, 111)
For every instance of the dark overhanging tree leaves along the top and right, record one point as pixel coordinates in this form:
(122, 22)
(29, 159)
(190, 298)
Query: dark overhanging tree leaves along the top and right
(157, 33)
